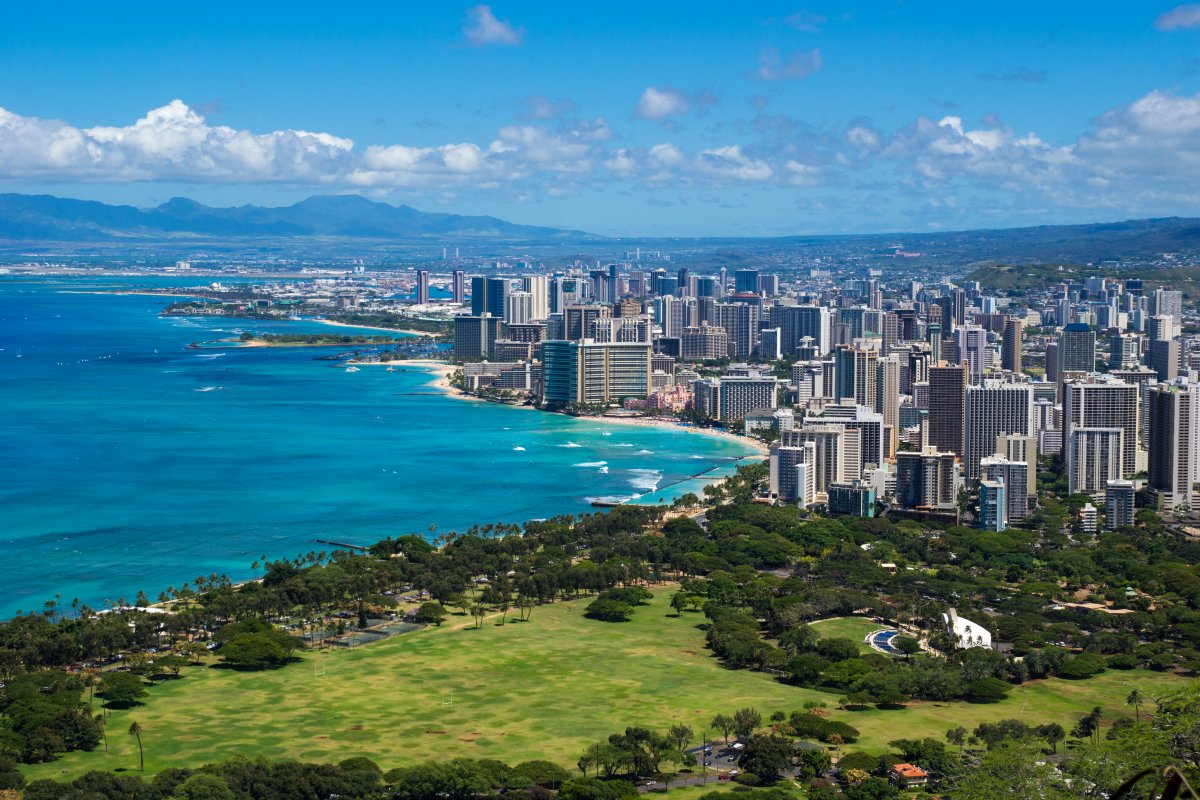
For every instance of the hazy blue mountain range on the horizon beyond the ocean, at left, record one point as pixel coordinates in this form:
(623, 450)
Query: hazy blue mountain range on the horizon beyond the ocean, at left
(45, 218)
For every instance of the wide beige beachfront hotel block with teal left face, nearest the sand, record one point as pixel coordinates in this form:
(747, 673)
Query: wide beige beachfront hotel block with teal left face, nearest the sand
(590, 372)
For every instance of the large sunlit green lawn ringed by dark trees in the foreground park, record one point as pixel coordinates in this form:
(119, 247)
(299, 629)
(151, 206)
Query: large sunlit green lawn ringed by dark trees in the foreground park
(543, 689)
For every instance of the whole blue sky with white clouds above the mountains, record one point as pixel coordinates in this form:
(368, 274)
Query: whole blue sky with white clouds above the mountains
(628, 119)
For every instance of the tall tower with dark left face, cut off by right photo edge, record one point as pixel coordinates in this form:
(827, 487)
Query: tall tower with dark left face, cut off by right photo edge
(1175, 443)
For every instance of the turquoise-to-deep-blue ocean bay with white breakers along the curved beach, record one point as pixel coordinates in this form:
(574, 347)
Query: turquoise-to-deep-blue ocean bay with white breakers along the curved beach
(129, 461)
